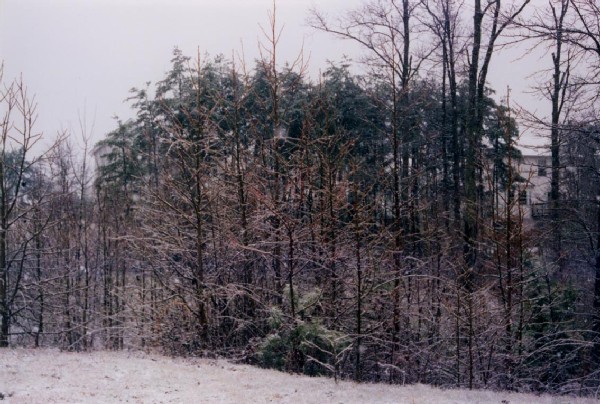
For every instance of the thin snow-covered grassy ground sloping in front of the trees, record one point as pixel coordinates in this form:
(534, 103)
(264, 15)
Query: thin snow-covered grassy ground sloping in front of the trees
(50, 376)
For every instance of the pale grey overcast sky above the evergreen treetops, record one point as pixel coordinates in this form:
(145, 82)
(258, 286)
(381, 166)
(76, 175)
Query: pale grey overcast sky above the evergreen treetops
(81, 58)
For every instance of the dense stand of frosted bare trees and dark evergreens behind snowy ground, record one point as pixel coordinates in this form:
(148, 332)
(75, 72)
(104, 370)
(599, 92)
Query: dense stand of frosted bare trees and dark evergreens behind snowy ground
(364, 225)
